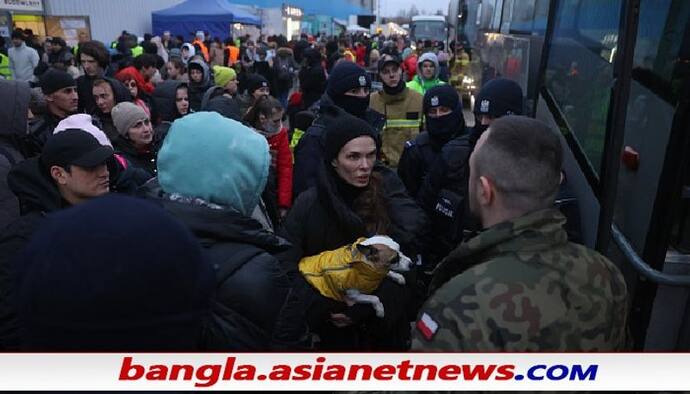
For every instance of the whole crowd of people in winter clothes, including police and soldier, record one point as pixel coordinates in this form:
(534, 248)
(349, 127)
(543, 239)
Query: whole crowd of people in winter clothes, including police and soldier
(161, 194)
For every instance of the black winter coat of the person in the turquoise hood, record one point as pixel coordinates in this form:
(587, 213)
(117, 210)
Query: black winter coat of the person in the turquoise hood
(254, 303)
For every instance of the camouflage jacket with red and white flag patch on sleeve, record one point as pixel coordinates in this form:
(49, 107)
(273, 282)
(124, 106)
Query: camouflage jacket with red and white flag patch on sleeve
(521, 286)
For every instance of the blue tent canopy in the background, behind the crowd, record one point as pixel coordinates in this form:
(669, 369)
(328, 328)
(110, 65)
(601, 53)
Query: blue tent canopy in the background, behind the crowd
(214, 16)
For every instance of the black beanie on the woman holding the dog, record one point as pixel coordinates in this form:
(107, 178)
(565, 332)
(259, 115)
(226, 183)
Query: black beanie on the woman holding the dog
(342, 129)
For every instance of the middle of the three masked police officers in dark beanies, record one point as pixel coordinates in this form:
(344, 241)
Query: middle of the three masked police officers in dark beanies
(444, 121)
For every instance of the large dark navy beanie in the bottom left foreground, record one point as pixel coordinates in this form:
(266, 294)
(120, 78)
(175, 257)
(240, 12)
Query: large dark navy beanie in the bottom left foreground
(75, 291)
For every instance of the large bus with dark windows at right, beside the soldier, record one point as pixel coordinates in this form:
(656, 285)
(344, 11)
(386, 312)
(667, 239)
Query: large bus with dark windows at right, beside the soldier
(613, 76)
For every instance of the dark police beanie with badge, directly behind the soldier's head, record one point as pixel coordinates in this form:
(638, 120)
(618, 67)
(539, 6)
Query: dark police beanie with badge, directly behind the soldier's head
(499, 97)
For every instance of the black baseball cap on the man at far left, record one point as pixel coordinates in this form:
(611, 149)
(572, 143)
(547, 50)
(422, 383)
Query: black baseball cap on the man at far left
(74, 147)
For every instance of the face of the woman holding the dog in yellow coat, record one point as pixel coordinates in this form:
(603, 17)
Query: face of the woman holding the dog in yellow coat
(355, 161)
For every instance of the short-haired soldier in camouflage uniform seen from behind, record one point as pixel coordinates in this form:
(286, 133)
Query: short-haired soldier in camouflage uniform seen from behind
(520, 285)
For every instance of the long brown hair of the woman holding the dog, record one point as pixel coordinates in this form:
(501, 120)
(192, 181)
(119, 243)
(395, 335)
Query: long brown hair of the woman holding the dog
(371, 207)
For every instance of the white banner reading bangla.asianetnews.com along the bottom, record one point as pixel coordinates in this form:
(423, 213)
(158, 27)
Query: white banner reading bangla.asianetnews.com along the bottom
(345, 371)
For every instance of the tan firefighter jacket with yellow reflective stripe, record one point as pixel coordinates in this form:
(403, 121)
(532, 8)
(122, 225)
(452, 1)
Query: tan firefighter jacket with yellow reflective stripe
(403, 114)
